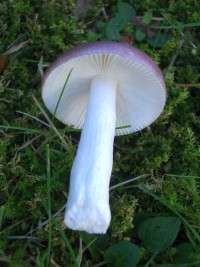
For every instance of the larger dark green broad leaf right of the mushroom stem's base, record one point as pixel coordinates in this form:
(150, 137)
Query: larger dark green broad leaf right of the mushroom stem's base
(159, 233)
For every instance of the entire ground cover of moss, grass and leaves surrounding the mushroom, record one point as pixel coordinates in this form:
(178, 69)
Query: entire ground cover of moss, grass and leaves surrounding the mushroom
(37, 151)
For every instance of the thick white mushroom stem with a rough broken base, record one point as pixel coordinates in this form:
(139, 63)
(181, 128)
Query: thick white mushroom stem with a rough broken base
(88, 203)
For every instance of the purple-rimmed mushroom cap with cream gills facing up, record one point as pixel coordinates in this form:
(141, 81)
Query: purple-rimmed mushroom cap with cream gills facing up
(141, 91)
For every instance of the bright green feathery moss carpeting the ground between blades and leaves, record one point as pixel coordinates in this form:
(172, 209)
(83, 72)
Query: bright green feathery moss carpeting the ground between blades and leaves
(169, 146)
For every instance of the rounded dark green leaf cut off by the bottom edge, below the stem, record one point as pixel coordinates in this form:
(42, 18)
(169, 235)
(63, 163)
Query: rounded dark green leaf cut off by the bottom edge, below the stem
(124, 254)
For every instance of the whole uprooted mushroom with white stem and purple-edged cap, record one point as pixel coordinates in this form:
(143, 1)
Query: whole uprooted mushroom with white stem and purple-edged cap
(113, 89)
